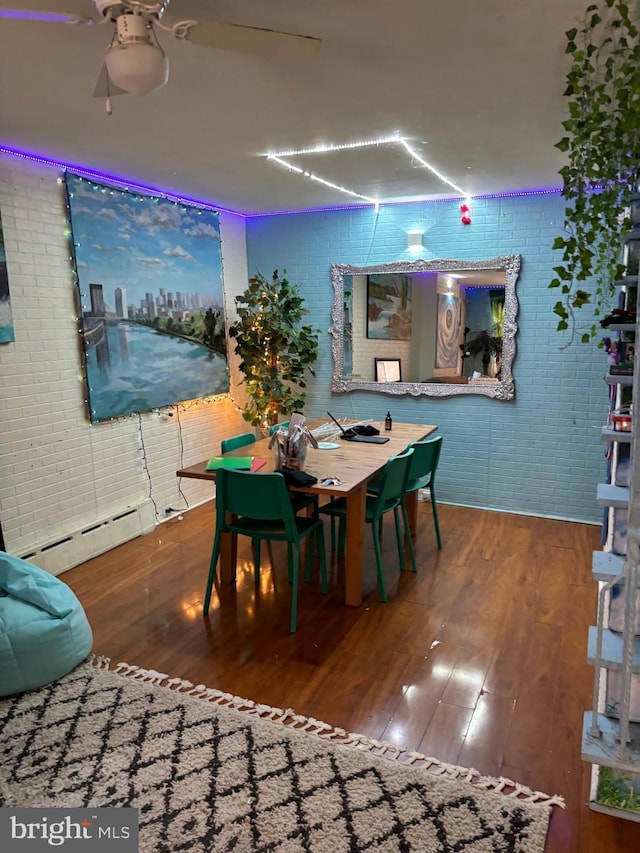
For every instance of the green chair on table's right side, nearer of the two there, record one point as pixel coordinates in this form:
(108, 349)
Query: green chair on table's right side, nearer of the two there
(393, 483)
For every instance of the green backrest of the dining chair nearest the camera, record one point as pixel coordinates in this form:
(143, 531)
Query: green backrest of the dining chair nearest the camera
(264, 497)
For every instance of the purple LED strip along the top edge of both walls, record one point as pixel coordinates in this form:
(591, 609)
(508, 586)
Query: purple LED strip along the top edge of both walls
(122, 183)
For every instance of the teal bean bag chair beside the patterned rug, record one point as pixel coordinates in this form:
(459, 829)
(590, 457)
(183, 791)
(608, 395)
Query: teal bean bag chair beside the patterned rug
(44, 632)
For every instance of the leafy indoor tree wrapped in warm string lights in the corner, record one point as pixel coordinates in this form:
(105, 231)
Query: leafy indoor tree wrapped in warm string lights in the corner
(276, 349)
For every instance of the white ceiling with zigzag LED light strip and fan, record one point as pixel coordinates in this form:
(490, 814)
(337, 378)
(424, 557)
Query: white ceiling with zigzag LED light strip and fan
(475, 86)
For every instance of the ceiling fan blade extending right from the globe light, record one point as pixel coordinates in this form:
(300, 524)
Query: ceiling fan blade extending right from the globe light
(269, 43)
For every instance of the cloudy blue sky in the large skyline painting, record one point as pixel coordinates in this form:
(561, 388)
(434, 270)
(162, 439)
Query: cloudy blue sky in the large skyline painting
(142, 244)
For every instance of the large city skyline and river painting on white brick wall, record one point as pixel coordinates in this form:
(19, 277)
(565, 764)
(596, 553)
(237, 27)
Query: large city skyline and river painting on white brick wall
(150, 280)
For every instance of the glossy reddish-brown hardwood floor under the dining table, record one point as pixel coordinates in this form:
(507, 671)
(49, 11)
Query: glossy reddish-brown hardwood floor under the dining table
(479, 659)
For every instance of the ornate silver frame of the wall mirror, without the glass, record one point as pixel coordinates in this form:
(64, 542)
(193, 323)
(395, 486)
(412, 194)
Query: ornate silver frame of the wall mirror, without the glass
(499, 389)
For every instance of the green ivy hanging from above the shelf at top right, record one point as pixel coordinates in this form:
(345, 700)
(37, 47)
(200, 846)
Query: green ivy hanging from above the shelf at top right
(602, 144)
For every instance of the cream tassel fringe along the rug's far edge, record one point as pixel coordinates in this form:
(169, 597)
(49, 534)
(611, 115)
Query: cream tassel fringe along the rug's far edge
(292, 720)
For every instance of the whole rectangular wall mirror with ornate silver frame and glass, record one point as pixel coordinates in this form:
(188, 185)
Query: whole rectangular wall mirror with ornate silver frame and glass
(448, 325)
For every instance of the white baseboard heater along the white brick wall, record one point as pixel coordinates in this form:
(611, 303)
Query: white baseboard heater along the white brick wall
(97, 538)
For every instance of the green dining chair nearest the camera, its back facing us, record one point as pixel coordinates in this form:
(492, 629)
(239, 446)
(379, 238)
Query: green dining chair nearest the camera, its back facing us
(260, 508)
